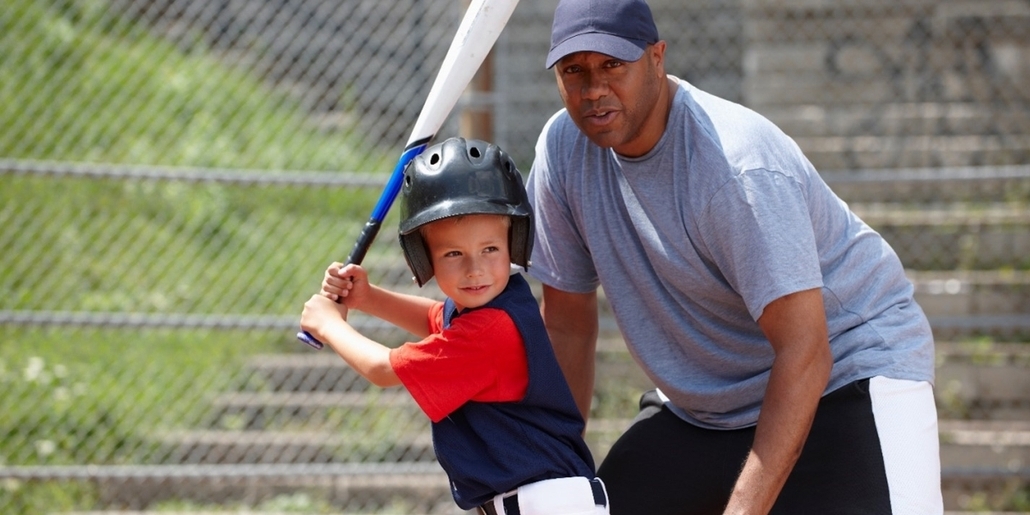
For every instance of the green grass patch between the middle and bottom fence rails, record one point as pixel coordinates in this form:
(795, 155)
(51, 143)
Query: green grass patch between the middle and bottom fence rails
(75, 397)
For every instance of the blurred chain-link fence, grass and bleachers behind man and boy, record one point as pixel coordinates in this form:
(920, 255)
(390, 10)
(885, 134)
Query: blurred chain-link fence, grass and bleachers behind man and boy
(177, 175)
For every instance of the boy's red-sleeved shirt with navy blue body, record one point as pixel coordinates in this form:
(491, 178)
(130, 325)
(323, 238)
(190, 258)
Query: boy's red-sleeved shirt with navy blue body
(494, 431)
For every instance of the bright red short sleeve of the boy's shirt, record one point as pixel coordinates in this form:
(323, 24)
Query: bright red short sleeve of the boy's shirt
(480, 358)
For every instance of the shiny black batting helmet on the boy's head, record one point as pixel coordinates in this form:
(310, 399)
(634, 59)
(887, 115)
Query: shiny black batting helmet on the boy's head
(463, 177)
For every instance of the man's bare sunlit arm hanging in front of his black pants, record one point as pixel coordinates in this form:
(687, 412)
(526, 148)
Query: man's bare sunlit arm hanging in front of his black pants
(796, 326)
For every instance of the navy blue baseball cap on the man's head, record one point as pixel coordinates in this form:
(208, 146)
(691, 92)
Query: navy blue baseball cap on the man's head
(617, 28)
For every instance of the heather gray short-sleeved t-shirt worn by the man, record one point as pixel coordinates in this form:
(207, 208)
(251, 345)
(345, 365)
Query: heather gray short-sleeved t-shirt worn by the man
(692, 242)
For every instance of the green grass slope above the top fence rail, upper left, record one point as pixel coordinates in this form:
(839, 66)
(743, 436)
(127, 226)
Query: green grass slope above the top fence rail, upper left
(82, 84)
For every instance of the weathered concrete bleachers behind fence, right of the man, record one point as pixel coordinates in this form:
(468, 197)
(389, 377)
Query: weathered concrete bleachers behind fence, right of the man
(918, 115)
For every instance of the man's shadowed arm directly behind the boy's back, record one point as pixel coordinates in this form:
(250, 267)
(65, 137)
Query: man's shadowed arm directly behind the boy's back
(572, 324)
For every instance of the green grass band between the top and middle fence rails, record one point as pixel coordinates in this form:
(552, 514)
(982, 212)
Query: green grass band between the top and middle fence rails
(173, 248)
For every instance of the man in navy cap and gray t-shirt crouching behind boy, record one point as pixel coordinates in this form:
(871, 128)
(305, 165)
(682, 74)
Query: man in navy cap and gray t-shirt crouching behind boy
(795, 369)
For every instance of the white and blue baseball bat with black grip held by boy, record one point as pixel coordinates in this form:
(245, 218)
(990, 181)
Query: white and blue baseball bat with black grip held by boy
(479, 29)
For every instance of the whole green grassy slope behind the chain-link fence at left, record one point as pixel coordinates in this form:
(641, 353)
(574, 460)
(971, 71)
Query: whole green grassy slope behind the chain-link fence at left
(81, 84)
